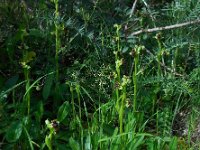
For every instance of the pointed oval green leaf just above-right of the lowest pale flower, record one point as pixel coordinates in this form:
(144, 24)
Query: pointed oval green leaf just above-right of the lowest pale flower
(63, 111)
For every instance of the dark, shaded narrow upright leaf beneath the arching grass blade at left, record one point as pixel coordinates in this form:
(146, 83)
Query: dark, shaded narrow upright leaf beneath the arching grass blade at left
(47, 86)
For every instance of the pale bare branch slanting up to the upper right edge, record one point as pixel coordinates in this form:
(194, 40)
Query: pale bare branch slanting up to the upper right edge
(166, 27)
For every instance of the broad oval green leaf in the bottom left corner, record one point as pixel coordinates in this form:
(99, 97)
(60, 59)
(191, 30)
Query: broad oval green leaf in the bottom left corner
(14, 132)
